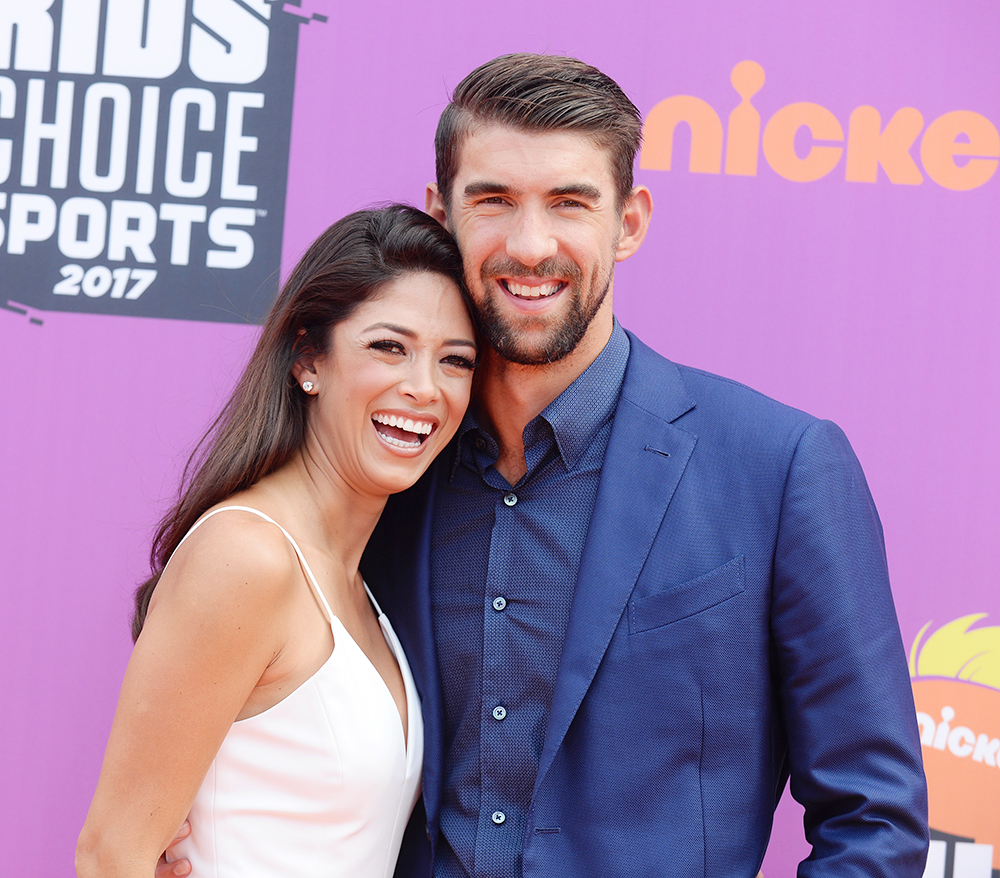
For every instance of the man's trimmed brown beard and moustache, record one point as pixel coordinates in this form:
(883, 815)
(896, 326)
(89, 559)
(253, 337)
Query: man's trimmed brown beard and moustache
(503, 334)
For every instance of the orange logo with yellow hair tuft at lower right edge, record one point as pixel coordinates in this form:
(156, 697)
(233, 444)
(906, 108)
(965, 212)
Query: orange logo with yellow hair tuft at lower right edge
(956, 686)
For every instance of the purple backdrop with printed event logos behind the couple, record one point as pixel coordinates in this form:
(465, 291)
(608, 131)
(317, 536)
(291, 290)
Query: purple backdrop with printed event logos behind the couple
(826, 230)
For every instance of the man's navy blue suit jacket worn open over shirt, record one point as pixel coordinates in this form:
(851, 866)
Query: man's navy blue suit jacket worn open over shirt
(731, 624)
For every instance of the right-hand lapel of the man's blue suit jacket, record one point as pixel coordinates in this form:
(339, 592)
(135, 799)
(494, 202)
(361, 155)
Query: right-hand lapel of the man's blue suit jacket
(644, 462)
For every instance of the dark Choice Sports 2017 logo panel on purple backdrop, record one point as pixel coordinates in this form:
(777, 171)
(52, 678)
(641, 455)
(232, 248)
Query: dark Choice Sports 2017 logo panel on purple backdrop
(144, 155)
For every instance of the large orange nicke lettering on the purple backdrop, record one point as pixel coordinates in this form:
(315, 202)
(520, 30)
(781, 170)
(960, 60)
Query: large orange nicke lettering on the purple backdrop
(959, 150)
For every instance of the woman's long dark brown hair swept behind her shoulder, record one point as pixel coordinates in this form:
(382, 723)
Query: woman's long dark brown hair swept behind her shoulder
(263, 423)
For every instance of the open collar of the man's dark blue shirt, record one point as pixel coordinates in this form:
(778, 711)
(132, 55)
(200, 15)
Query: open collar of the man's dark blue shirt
(577, 415)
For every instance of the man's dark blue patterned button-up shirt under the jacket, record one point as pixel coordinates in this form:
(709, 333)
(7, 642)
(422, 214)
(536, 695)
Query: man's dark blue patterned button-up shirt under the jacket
(504, 561)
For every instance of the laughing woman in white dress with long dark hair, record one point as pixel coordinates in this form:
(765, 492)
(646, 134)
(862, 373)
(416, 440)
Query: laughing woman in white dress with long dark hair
(267, 695)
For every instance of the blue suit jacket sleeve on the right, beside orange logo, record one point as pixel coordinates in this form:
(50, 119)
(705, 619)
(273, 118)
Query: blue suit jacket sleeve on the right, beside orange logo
(854, 752)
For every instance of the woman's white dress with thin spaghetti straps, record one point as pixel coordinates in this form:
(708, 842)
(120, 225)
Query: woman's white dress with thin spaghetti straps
(320, 784)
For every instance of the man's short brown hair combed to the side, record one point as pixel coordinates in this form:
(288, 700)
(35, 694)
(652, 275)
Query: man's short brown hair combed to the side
(540, 93)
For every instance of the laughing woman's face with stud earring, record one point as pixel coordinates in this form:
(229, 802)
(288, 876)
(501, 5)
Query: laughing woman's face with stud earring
(393, 388)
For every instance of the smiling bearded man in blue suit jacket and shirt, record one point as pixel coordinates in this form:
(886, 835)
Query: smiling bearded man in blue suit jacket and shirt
(635, 597)
